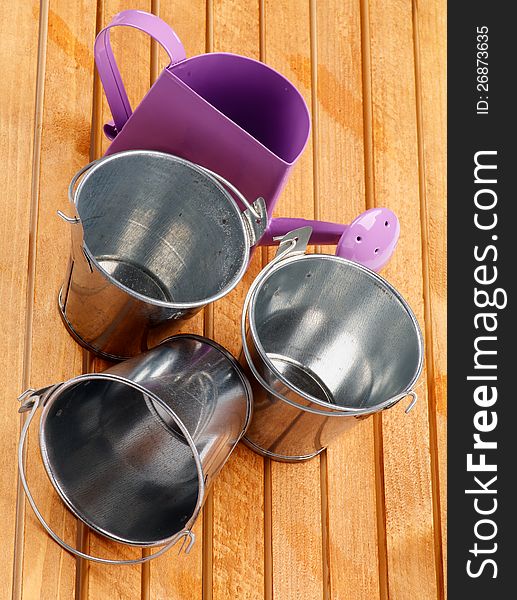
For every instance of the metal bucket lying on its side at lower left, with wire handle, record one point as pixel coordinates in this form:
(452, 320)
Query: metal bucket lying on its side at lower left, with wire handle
(133, 451)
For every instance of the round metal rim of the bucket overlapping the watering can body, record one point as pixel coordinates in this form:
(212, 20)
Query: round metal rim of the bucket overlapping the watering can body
(199, 170)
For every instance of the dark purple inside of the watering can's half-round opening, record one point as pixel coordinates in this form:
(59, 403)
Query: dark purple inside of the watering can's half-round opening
(253, 96)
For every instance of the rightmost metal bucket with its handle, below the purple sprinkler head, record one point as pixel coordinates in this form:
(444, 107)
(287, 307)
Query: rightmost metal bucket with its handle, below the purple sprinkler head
(329, 342)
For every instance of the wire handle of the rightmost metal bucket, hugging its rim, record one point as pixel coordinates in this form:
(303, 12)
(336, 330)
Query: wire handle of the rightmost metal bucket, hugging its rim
(293, 243)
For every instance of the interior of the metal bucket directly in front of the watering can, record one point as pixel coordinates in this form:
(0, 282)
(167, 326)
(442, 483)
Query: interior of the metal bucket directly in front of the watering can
(161, 228)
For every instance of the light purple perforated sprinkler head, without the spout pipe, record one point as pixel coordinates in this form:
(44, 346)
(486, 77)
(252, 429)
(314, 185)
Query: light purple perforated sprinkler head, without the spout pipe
(371, 238)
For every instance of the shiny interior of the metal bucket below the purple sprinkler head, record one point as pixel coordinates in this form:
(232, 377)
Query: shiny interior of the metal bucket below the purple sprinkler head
(336, 332)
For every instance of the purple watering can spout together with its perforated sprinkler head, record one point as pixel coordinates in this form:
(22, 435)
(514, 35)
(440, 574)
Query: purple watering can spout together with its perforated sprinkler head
(370, 239)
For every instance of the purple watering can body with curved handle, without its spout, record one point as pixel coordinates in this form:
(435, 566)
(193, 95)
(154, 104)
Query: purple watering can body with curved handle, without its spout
(231, 114)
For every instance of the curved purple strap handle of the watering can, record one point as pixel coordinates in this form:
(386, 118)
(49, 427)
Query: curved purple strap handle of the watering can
(107, 66)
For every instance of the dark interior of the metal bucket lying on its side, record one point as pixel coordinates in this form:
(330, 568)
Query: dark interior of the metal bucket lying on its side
(117, 464)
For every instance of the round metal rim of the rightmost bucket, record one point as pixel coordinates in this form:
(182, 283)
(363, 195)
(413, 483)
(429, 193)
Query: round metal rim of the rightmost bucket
(322, 407)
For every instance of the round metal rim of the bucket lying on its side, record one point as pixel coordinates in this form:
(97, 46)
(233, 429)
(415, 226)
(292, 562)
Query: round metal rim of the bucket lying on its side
(49, 401)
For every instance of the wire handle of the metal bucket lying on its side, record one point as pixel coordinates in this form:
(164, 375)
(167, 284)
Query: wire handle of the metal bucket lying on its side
(33, 399)
